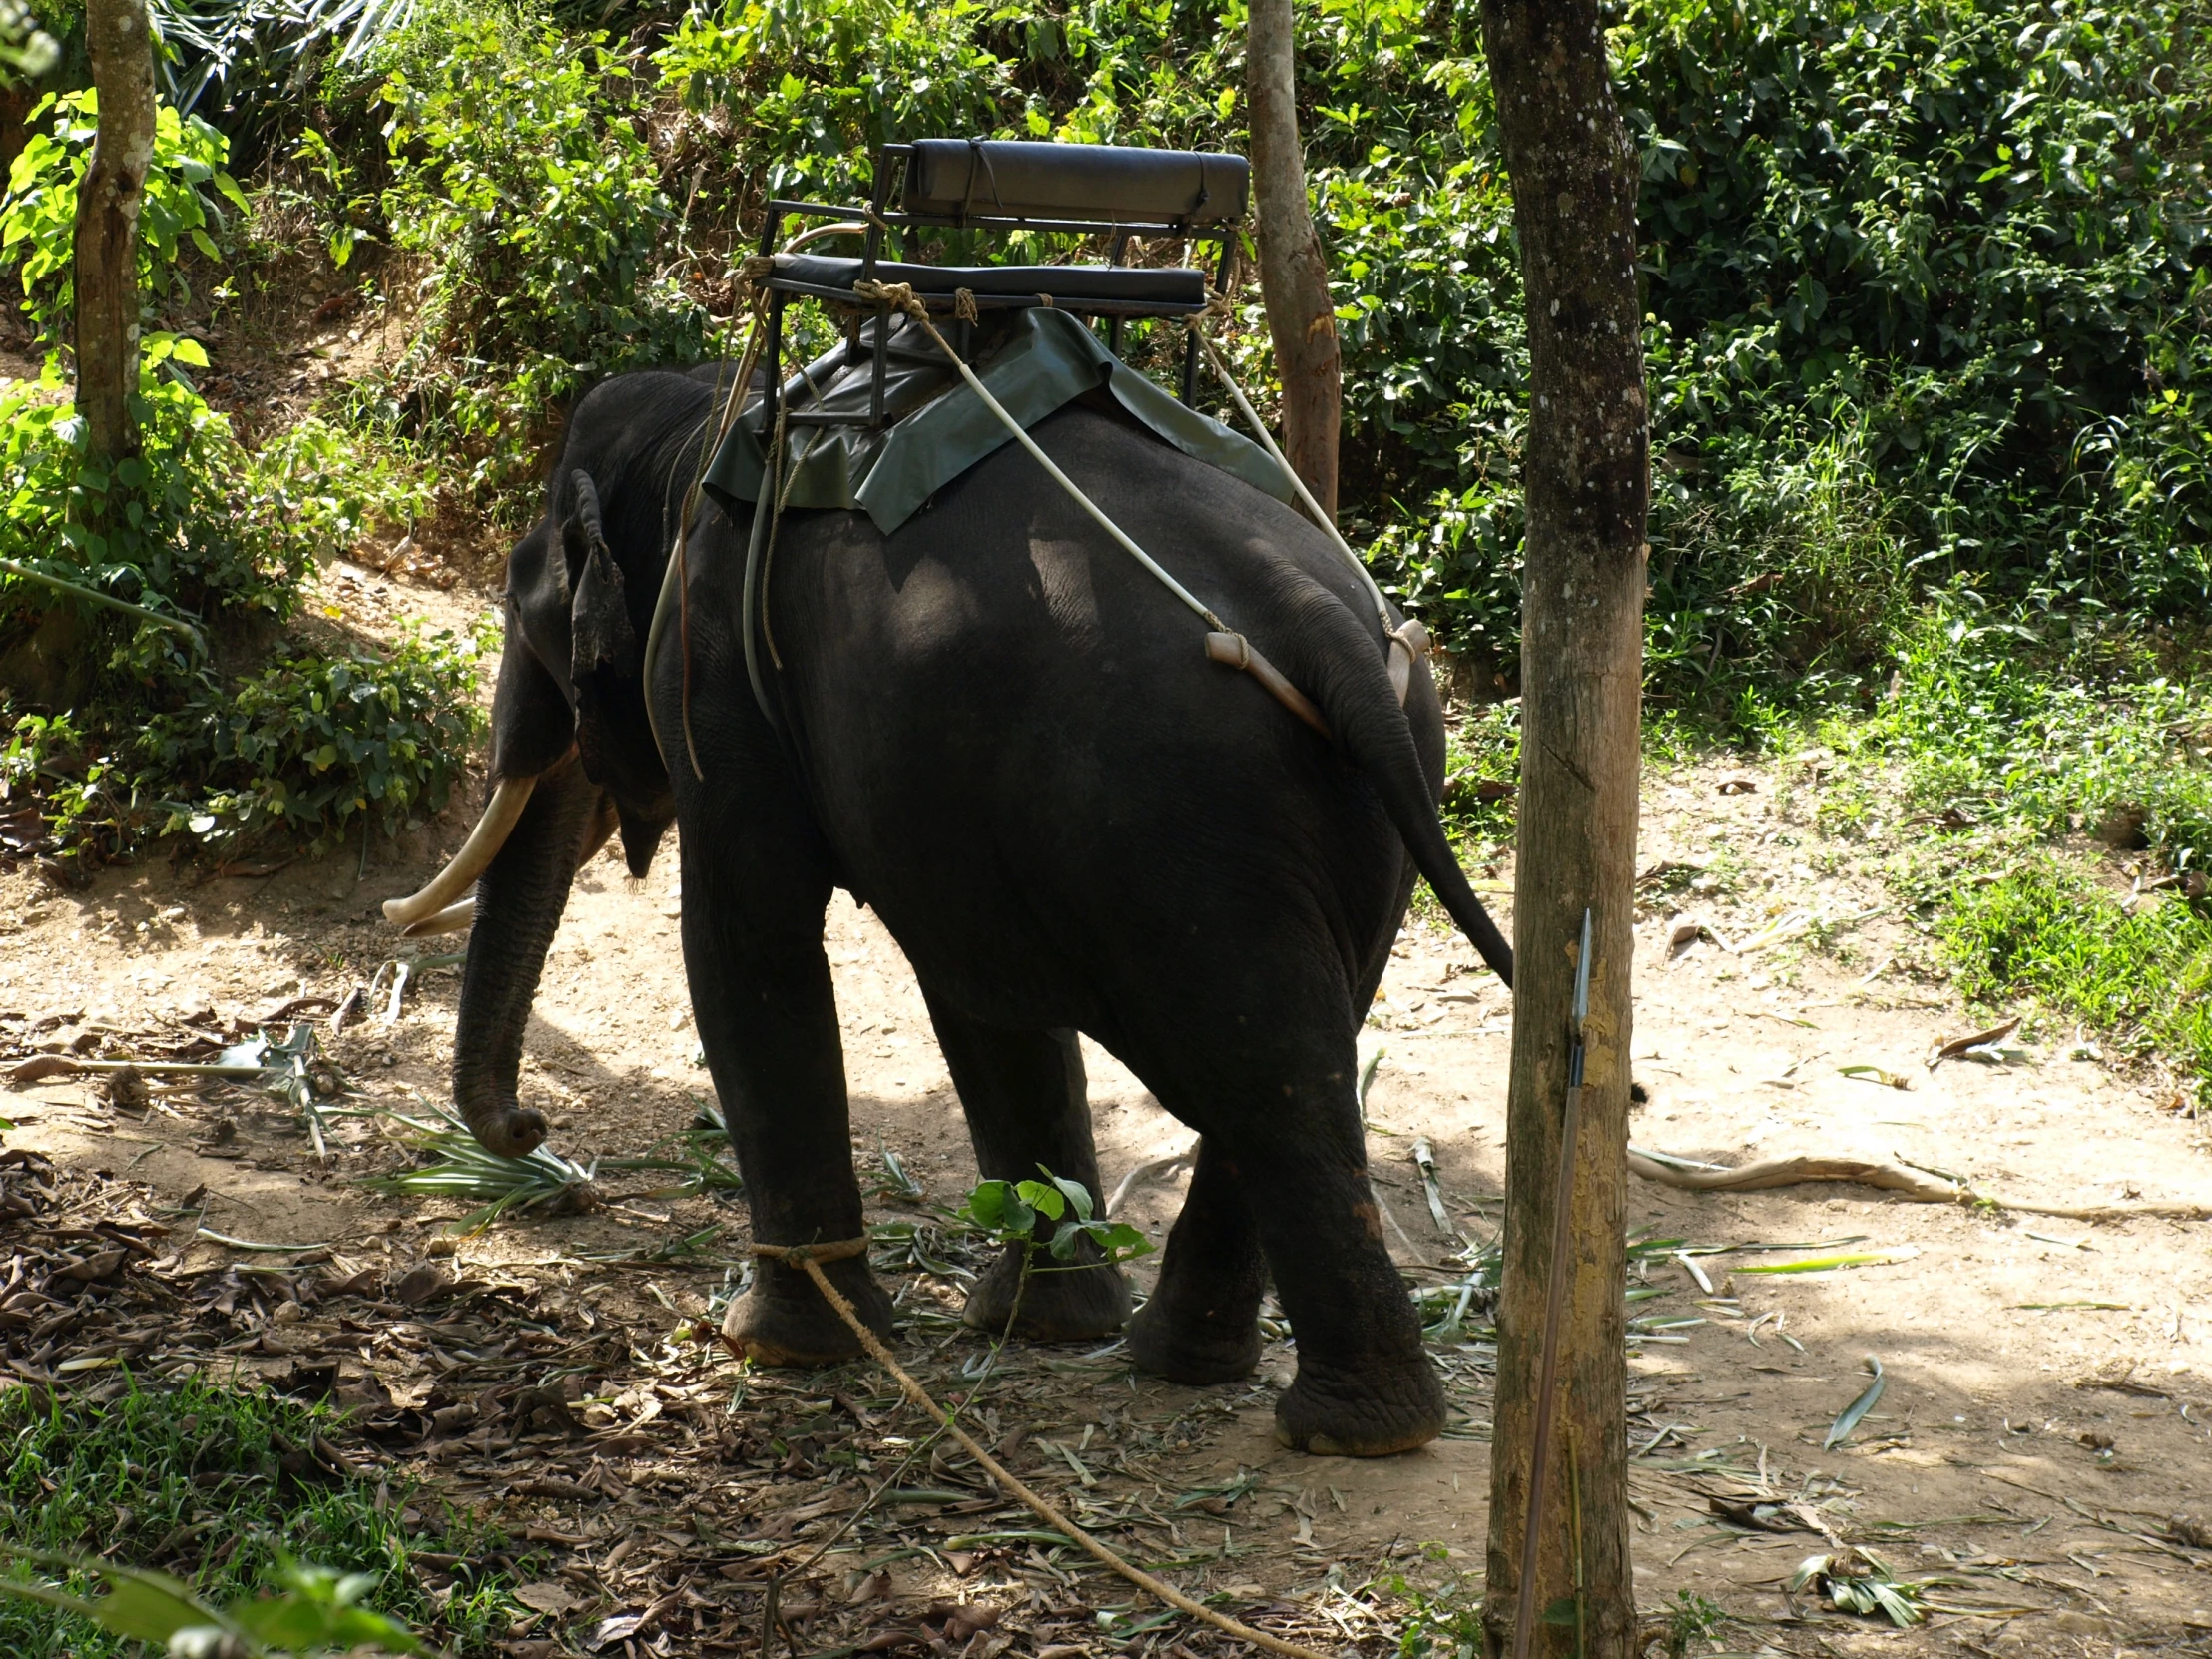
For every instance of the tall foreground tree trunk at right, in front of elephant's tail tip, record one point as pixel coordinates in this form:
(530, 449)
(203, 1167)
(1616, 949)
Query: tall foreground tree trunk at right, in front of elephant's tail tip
(1583, 651)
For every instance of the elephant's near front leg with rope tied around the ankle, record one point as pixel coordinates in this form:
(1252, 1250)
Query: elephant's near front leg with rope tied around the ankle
(755, 888)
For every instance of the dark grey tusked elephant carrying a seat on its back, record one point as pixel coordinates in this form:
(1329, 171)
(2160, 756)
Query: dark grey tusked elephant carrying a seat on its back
(1005, 738)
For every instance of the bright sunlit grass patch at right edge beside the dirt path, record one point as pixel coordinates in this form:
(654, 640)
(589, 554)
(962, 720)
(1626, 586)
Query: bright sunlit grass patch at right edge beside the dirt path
(2052, 935)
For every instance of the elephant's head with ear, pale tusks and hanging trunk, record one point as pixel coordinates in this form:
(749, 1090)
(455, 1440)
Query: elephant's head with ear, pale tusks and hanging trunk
(574, 758)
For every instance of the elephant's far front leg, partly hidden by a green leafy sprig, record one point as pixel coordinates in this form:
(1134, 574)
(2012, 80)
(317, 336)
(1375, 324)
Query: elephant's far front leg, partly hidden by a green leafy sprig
(1027, 1112)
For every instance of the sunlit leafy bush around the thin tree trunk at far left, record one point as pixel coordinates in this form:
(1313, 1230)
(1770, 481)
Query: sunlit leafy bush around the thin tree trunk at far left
(196, 528)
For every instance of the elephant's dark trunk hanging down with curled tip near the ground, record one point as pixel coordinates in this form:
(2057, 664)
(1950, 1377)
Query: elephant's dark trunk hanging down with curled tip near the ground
(519, 906)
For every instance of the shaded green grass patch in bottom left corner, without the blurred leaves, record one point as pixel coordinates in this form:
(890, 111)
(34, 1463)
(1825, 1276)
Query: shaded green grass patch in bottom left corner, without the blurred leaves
(213, 1483)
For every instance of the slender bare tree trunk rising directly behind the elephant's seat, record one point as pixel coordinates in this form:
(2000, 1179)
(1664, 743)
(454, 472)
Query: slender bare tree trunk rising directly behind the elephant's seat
(1293, 271)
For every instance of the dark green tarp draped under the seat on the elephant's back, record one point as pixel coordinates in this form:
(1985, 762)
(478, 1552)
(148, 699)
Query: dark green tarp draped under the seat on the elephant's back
(937, 428)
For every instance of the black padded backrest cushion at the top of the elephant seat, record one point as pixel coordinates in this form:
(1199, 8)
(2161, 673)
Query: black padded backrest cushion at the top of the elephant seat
(1019, 180)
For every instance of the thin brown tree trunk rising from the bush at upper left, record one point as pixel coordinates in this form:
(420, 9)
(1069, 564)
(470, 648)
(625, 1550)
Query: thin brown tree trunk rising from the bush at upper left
(109, 200)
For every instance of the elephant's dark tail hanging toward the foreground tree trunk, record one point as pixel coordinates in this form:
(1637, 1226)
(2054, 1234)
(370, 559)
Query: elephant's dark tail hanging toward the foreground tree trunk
(1337, 660)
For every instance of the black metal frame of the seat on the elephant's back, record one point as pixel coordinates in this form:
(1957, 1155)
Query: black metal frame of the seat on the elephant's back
(881, 220)
